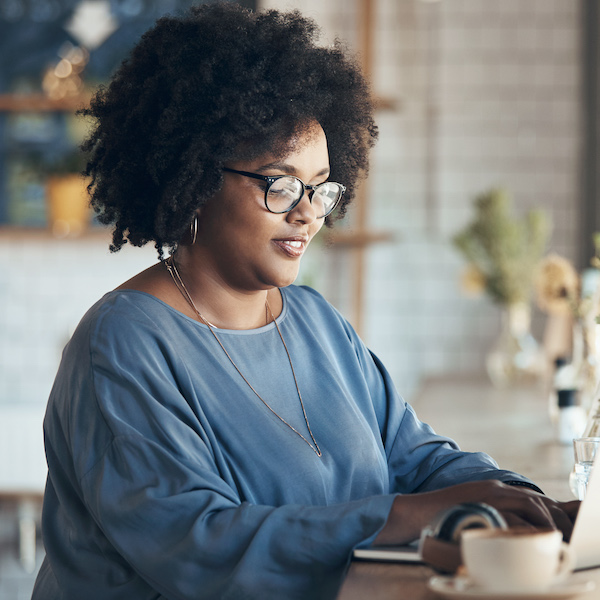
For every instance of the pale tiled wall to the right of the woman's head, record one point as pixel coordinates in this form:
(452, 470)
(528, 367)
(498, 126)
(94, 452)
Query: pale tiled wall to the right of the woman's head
(488, 95)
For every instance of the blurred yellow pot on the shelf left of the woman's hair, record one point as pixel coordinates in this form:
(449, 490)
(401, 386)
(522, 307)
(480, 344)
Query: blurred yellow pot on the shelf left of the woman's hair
(69, 212)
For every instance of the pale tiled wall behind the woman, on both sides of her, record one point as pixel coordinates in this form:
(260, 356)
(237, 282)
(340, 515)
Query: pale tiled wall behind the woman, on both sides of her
(487, 95)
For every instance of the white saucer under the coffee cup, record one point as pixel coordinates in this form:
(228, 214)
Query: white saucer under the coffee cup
(460, 588)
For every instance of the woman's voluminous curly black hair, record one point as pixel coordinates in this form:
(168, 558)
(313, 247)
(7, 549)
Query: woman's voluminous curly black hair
(217, 84)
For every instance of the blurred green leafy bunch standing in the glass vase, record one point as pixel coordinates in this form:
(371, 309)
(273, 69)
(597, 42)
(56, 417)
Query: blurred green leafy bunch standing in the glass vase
(503, 252)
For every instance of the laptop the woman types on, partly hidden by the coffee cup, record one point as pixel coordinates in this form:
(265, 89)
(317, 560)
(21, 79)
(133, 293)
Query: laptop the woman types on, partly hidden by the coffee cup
(585, 539)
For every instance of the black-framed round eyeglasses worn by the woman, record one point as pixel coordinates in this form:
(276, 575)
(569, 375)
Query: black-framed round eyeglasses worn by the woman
(284, 192)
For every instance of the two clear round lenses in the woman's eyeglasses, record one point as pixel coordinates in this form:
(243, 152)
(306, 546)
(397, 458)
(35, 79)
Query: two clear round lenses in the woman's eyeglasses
(285, 192)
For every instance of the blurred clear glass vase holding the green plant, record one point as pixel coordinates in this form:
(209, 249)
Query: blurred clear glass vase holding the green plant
(515, 358)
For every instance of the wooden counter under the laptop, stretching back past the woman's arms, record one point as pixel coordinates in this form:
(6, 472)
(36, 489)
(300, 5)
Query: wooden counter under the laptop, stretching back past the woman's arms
(513, 426)
